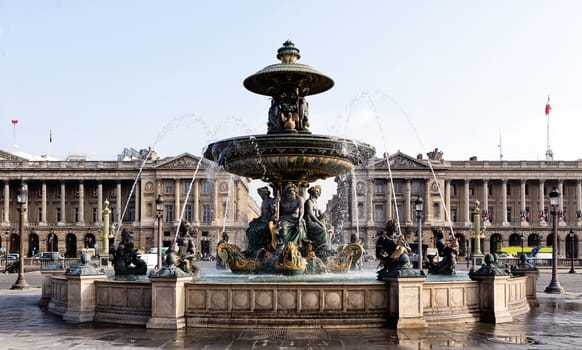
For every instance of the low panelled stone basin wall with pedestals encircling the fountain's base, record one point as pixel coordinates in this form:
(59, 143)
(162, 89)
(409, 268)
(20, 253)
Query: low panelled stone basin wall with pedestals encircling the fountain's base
(174, 303)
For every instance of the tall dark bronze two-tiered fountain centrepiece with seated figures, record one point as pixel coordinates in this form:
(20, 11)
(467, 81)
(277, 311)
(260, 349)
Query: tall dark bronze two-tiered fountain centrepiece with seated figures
(288, 157)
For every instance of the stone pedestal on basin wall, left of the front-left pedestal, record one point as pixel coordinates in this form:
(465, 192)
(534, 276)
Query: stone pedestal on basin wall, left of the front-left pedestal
(81, 297)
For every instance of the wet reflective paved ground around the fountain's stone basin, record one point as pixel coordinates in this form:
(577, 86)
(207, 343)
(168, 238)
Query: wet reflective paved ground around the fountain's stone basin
(555, 324)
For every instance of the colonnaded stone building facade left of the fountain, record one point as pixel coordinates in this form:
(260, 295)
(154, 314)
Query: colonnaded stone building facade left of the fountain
(66, 202)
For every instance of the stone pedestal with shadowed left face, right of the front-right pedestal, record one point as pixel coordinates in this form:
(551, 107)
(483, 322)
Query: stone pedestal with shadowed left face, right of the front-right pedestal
(494, 298)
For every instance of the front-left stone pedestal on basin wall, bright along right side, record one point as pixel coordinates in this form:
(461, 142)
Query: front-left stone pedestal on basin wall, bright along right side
(168, 302)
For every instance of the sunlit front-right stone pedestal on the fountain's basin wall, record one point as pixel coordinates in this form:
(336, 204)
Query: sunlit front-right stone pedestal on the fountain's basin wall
(406, 301)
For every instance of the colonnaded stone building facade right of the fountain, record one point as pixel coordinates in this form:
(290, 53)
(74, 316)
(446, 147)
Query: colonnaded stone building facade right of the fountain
(512, 195)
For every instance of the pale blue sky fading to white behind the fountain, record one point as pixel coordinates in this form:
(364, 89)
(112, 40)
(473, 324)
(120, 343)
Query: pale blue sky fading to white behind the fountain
(409, 75)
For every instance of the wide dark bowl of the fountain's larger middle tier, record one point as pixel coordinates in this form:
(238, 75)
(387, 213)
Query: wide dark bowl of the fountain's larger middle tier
(291, 157)
